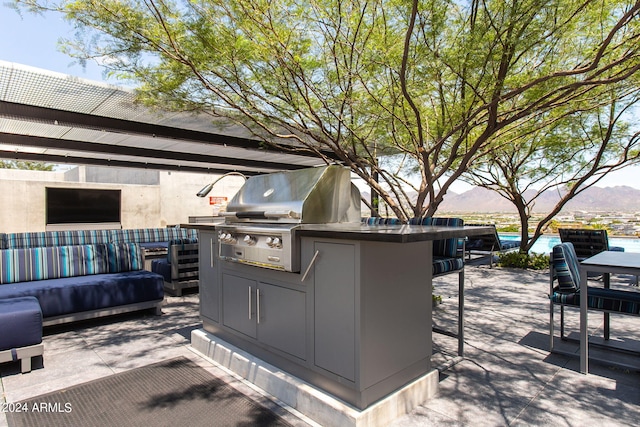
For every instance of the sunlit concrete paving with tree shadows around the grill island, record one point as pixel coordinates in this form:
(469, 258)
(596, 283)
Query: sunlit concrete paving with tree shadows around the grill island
(507, 378)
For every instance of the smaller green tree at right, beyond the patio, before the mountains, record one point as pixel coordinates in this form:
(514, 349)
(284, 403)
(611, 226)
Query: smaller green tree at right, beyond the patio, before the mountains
(582, 145)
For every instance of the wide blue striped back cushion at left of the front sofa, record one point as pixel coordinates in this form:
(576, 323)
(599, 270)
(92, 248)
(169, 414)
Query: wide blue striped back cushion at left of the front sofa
(23, 265)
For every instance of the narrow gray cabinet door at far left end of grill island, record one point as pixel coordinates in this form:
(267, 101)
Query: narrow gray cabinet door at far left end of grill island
(209, 288)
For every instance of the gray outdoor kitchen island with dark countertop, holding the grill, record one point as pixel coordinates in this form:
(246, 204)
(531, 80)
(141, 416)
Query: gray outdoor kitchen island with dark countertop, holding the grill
(354, 319)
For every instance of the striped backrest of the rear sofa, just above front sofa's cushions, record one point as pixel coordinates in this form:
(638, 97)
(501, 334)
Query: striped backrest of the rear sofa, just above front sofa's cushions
(57, 238)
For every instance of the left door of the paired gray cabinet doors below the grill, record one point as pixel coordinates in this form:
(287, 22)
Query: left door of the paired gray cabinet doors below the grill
(238, 304)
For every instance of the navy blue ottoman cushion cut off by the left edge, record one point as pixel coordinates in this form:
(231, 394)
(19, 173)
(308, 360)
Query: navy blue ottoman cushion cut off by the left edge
(21, 322)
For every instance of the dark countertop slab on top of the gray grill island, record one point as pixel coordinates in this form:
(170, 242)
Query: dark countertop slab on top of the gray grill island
(378, 233)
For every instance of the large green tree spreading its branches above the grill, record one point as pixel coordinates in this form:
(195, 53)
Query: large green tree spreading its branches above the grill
(415, 92)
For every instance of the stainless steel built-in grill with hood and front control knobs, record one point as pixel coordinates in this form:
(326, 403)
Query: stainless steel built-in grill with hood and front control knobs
(262, 218)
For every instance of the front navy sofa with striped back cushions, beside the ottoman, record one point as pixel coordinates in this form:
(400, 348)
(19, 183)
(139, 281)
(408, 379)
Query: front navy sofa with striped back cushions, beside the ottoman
(82, 281)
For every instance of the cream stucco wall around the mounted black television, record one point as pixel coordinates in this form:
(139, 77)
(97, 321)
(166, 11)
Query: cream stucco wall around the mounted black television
(172, 201)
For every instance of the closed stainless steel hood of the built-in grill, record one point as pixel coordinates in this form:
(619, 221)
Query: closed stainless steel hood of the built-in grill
(321, 195)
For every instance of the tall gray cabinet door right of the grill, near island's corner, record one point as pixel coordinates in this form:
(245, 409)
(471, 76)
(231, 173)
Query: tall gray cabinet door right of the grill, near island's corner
(335, 308)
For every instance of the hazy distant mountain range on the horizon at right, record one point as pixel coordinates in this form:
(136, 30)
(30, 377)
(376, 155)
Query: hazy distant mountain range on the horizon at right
(594, 199)
